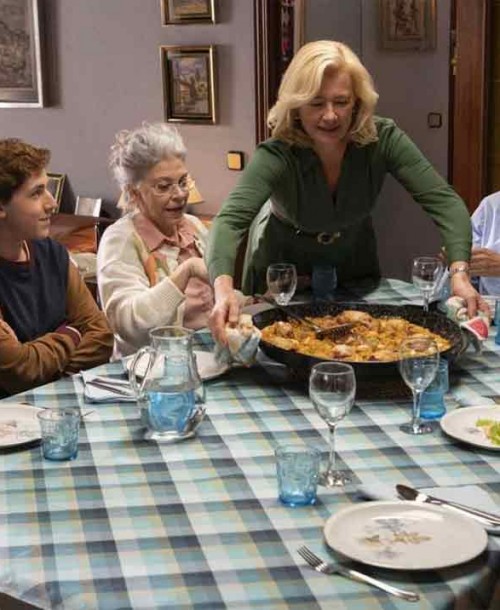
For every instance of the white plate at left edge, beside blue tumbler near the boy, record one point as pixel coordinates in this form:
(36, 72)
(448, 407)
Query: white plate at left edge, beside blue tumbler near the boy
(18, 424)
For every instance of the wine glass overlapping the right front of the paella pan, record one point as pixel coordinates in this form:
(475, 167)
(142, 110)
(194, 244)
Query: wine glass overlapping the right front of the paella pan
(418, 364)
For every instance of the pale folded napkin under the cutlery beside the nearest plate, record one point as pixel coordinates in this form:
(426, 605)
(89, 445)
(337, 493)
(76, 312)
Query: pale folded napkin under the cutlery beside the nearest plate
(468, 495)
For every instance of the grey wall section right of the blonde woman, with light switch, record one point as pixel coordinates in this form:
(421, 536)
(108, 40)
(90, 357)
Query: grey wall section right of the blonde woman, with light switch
(411, 84)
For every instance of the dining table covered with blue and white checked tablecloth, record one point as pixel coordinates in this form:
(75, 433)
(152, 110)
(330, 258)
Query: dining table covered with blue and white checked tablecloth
(132, 523)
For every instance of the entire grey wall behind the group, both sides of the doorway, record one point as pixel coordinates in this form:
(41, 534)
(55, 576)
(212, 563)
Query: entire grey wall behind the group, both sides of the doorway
(106, 76)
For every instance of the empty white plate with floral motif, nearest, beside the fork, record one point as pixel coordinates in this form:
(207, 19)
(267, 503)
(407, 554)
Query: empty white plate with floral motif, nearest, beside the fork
(404, 535)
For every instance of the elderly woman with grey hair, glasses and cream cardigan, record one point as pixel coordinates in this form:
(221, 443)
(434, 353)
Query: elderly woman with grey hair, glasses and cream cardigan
(150, 266)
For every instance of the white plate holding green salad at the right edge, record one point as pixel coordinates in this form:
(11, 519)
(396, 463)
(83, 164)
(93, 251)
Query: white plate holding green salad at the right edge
(461, 424)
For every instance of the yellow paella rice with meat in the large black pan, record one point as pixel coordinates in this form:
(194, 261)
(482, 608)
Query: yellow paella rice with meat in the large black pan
(370, 339)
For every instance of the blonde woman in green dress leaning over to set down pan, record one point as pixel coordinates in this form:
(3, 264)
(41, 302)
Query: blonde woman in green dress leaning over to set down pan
(308, 193)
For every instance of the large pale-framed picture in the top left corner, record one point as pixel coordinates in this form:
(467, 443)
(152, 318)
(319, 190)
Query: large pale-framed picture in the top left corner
(21, 84)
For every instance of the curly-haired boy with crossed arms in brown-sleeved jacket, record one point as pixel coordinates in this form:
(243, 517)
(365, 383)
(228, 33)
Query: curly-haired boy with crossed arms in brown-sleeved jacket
(49, 323)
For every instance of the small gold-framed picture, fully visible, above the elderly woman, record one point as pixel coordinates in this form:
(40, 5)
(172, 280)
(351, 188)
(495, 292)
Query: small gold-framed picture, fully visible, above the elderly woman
(188, 84)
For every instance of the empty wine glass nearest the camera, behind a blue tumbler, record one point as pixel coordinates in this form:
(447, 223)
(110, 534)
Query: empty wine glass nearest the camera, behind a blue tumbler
(332, 386)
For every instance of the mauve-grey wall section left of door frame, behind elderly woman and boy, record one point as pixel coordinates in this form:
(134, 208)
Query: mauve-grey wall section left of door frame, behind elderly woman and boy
(104, 75)
